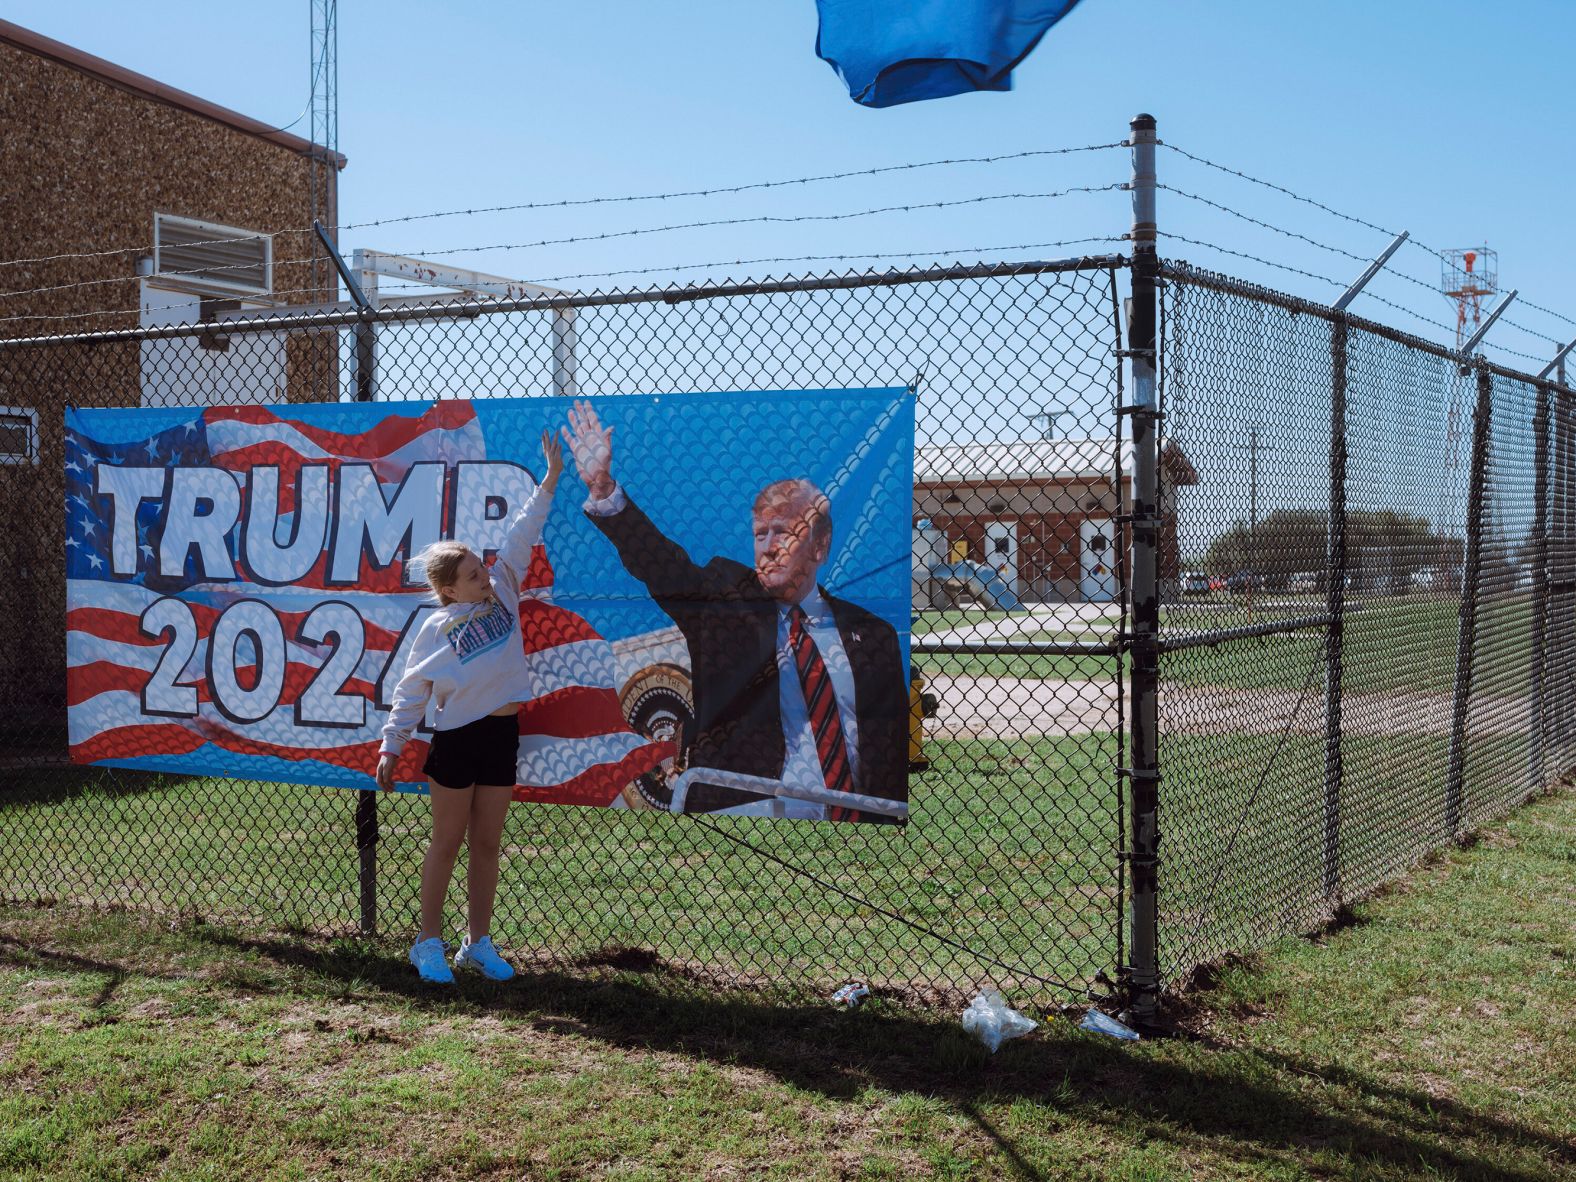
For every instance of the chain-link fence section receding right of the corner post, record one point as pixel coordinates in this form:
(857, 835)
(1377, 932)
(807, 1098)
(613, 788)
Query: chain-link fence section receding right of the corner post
(1369, 647)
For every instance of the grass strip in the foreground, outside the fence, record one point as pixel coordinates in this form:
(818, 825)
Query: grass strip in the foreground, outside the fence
(1424, 1038)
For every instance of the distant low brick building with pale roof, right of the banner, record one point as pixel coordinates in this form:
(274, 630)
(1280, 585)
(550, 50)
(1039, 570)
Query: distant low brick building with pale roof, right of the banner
(1044, 513)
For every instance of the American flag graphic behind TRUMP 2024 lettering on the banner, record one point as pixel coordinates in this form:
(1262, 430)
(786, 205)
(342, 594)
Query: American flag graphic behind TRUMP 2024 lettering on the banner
(212, 636)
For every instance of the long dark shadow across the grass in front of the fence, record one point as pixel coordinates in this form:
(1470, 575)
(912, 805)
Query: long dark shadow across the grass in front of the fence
(1192, 1095)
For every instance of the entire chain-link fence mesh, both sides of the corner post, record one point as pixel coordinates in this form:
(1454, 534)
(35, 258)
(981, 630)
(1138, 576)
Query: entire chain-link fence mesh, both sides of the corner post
(1366, 556)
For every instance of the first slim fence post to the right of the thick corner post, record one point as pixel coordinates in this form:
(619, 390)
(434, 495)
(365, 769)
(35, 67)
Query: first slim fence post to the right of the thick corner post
(1336, 608)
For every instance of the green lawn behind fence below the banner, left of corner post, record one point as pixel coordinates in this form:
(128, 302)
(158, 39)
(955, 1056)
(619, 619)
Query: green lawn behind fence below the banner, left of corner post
(1011, 852)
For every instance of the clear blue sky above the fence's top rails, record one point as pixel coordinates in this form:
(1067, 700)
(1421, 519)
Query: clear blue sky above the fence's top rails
(1444, 117)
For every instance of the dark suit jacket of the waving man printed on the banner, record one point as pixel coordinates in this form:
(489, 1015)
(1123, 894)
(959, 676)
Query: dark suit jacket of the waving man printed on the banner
(730, 626)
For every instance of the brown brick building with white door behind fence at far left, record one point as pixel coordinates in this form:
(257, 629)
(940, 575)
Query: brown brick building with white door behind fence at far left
(132, 196)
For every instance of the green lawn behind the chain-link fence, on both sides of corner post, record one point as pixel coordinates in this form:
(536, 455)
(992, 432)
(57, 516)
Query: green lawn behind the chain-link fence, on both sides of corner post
(1013, 855)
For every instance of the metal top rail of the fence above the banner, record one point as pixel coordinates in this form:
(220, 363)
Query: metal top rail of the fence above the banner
(450, 308)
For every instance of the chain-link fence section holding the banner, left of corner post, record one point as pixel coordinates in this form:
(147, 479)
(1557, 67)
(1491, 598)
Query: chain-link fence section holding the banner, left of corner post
(1009, 871)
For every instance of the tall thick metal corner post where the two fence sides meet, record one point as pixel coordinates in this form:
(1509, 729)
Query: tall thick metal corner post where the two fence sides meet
(1143, 968)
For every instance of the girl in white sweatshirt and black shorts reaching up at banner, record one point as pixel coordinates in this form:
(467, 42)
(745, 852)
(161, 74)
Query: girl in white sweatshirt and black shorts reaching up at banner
(469, 660)
